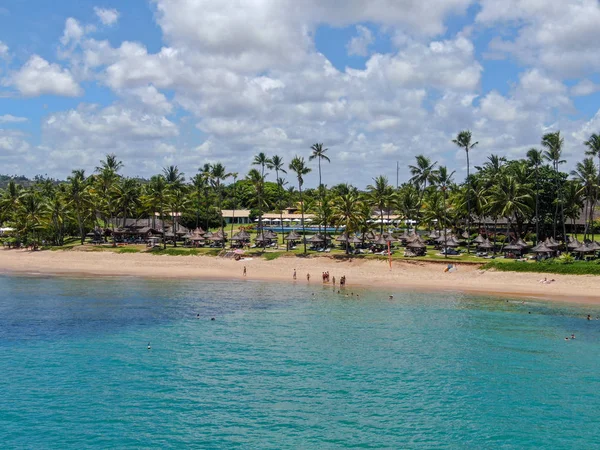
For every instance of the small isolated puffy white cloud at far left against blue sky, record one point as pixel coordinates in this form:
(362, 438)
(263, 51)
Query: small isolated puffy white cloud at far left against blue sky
(39, 77)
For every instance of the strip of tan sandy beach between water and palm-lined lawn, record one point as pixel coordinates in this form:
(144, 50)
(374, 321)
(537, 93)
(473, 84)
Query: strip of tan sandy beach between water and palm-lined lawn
(403, 275)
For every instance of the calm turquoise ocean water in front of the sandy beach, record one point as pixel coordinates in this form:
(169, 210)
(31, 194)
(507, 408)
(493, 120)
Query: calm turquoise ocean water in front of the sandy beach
(282, 368)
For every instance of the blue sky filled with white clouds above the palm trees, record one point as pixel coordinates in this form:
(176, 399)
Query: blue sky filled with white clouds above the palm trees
(189, 82)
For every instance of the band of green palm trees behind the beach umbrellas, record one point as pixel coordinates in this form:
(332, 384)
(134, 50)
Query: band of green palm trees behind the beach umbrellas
(532, 194)
